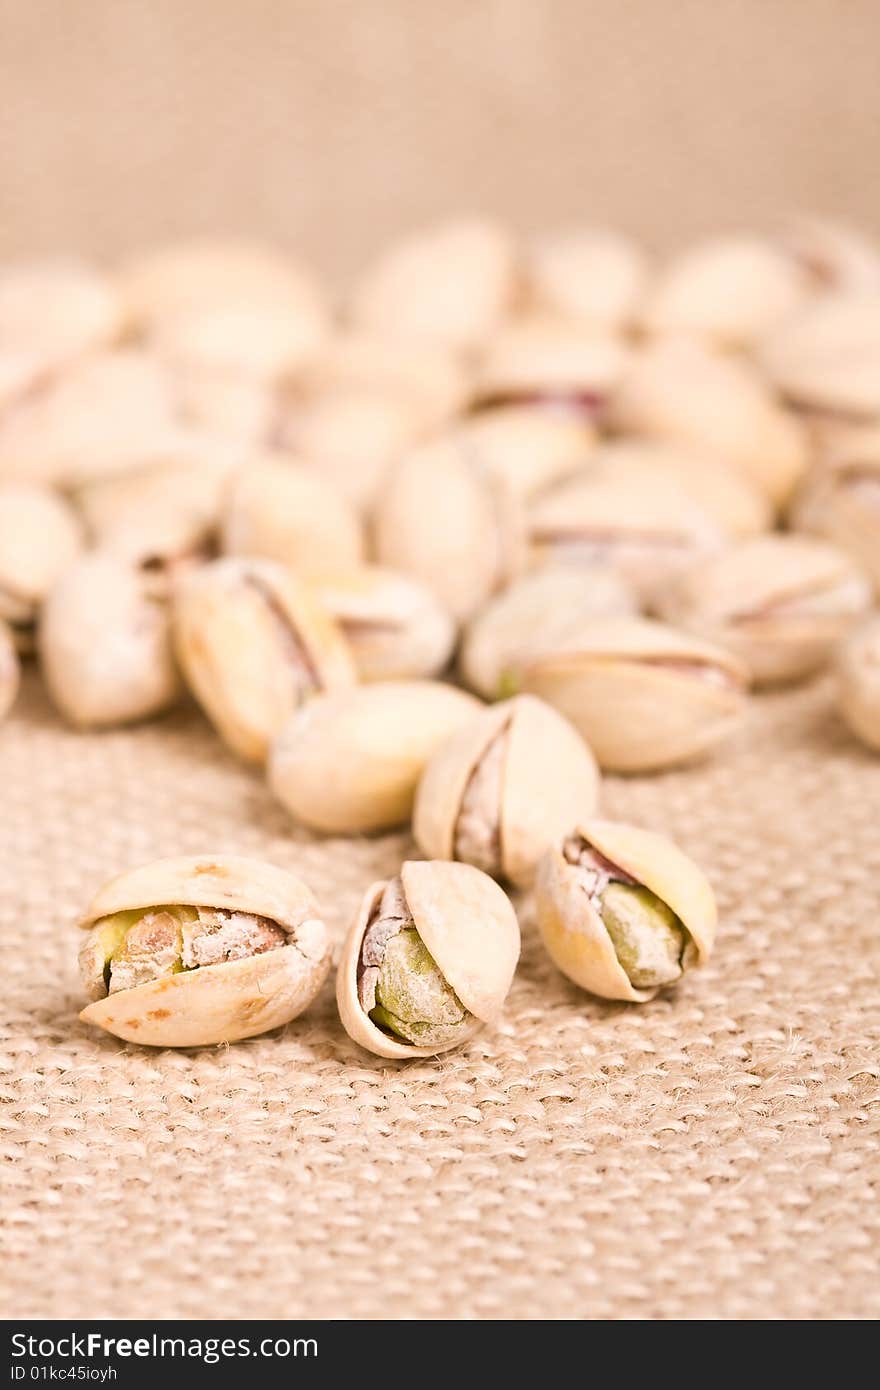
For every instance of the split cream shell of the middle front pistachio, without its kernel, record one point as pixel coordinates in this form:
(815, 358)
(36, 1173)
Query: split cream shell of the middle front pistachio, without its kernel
(468, 926)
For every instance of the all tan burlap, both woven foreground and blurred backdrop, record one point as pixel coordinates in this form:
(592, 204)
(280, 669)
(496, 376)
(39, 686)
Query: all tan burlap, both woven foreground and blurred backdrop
(714, 1154)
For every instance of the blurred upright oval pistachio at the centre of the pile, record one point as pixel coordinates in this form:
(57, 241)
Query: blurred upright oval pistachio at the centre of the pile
(450, 525)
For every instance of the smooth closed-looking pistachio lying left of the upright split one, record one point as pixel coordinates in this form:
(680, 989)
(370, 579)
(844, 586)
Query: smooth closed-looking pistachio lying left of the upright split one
(350, 762)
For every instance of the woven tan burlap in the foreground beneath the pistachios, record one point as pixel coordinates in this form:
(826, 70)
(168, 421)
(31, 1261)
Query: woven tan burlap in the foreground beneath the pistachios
(711, 1154)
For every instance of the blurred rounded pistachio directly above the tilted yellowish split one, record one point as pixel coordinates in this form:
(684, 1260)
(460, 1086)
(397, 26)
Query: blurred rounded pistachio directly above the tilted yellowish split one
(283, 512)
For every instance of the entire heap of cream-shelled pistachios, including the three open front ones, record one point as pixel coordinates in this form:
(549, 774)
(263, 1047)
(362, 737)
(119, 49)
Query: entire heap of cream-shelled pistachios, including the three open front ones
(437, 551)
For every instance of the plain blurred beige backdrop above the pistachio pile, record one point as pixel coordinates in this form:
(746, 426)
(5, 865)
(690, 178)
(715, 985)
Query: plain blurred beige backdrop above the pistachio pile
(330, 124)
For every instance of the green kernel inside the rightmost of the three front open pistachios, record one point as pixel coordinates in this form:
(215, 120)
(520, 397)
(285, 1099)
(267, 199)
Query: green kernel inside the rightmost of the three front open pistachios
(649, 938)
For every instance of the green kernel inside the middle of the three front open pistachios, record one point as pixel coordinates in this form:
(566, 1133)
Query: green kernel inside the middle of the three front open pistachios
(414, 999)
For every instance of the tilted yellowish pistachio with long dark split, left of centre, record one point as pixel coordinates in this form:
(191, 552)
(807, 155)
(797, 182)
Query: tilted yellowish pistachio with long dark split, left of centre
(254, 644)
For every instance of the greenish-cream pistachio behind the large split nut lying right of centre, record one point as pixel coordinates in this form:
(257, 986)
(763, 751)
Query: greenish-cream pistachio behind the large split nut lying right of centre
(535, 615)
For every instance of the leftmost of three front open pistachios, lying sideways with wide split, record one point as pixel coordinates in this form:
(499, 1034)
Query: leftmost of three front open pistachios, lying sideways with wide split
(197, 951)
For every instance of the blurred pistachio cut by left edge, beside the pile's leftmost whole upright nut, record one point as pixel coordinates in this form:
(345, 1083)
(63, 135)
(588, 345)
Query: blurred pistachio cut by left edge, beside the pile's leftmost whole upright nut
(40, 537)
